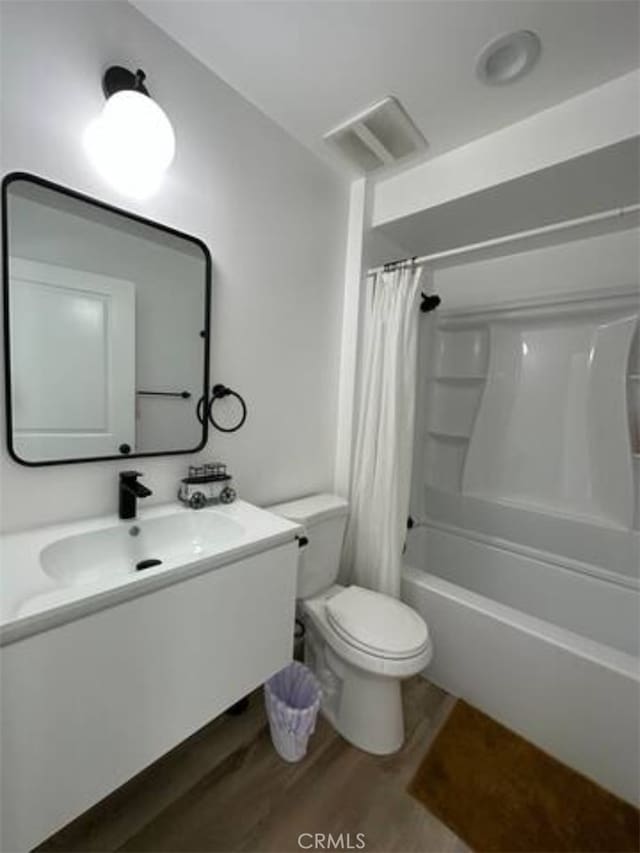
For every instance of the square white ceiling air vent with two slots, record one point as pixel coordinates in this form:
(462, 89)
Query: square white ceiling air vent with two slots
(379, 137)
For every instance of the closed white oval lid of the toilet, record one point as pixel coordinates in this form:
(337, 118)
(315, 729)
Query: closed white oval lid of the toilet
(377, 623)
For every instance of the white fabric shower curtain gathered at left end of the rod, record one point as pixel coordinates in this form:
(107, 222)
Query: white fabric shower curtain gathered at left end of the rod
(381, 475)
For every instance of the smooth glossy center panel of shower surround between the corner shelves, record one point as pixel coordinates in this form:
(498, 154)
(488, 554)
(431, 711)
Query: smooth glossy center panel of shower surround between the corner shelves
(578, 462)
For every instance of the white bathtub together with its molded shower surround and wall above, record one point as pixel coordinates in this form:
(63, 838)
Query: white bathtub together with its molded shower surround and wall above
(530, 587)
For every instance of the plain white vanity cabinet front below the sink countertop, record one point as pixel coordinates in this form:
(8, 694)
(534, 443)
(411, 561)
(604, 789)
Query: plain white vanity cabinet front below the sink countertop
(89, 703)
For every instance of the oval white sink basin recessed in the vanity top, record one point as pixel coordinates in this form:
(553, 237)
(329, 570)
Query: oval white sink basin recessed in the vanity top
(154, 543)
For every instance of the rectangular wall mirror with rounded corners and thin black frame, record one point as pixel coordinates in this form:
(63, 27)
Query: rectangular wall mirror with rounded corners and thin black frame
(106, 327)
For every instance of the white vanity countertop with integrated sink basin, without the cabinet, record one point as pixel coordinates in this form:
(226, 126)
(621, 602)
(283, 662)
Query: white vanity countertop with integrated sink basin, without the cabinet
(51, 574)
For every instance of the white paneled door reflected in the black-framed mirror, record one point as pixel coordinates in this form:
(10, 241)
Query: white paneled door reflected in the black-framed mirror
(73, 362)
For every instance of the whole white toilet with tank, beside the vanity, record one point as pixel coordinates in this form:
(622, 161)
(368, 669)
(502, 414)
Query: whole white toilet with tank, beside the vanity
(359, 643)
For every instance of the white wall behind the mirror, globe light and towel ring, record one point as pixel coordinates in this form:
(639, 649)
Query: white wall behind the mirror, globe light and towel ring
(273, 216)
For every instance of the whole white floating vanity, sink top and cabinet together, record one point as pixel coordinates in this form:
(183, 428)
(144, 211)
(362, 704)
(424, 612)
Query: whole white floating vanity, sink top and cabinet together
(107, 666)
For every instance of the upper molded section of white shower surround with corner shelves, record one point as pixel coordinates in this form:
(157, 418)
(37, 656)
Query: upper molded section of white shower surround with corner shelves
(538, 406)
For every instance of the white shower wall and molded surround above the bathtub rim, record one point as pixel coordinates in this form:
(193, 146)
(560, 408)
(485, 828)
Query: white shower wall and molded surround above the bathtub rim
(589, 289)
